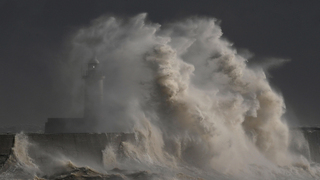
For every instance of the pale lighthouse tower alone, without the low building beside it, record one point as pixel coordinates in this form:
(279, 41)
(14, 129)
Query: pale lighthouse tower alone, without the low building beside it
(93, 92)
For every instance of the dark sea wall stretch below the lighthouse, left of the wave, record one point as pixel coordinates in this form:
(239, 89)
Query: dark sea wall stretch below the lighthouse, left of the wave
(78, 147)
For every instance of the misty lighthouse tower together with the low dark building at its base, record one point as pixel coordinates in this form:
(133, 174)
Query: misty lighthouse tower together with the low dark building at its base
(93, 103)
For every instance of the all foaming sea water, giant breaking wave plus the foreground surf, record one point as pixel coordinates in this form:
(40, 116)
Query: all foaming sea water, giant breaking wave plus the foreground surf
(198, 110)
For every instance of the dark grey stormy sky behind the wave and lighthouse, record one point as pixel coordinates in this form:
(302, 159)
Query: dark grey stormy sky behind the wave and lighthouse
(33, 35)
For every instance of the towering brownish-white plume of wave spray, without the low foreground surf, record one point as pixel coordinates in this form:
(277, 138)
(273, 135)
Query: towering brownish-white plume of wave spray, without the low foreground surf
(190, 96)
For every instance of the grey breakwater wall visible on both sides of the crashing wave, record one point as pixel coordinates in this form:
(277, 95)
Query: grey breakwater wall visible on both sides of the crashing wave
(89, 147)
